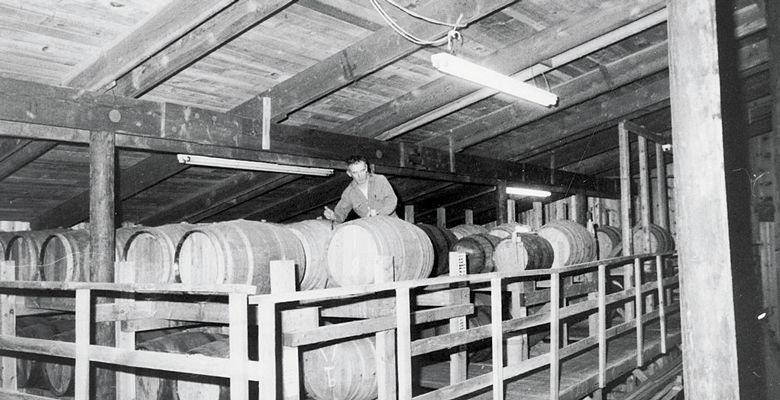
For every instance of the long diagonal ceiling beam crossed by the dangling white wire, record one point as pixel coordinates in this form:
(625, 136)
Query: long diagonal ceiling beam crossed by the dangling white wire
(366, 56)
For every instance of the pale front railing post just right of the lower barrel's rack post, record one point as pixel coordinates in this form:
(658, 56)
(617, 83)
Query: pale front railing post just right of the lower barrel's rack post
(404, 324)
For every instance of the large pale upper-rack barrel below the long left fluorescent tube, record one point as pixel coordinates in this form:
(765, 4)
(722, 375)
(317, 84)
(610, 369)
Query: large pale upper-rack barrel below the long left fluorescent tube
(236, 252)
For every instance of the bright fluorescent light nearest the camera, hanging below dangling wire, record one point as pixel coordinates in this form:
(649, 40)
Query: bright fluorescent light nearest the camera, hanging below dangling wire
(459, 67)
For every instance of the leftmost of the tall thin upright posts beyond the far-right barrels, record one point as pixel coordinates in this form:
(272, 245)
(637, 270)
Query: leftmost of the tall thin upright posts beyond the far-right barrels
(625, 210)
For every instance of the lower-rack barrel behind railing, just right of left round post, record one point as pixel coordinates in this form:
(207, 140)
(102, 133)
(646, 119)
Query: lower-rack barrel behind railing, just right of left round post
(163, 385)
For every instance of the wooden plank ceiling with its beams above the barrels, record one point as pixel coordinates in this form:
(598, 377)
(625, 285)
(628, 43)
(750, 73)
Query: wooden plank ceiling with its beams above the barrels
(334, 66)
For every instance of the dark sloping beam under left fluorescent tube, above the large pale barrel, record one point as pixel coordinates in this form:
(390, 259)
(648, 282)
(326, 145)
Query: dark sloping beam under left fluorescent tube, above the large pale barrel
(238, 188)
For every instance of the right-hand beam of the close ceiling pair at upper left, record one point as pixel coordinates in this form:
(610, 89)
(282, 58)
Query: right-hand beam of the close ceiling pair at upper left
(197, 43)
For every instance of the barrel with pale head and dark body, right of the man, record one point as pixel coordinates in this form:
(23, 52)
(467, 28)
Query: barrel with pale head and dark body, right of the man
(527, 251)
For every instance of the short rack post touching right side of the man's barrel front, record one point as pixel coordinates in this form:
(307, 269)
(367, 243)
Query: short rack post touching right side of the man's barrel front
(386, 340)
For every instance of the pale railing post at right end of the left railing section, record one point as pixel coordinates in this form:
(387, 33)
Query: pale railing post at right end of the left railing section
(238, 345)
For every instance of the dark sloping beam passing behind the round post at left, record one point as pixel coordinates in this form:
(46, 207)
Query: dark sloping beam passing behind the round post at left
(144, 174)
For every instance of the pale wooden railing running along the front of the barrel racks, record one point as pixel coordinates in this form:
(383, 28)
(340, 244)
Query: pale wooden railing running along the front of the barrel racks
(280, 375)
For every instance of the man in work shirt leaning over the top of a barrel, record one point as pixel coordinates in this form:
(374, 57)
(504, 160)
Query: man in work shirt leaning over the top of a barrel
(368, 194)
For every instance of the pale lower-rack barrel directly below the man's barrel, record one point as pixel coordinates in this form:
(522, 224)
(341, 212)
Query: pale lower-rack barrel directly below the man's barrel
(345, 371)
